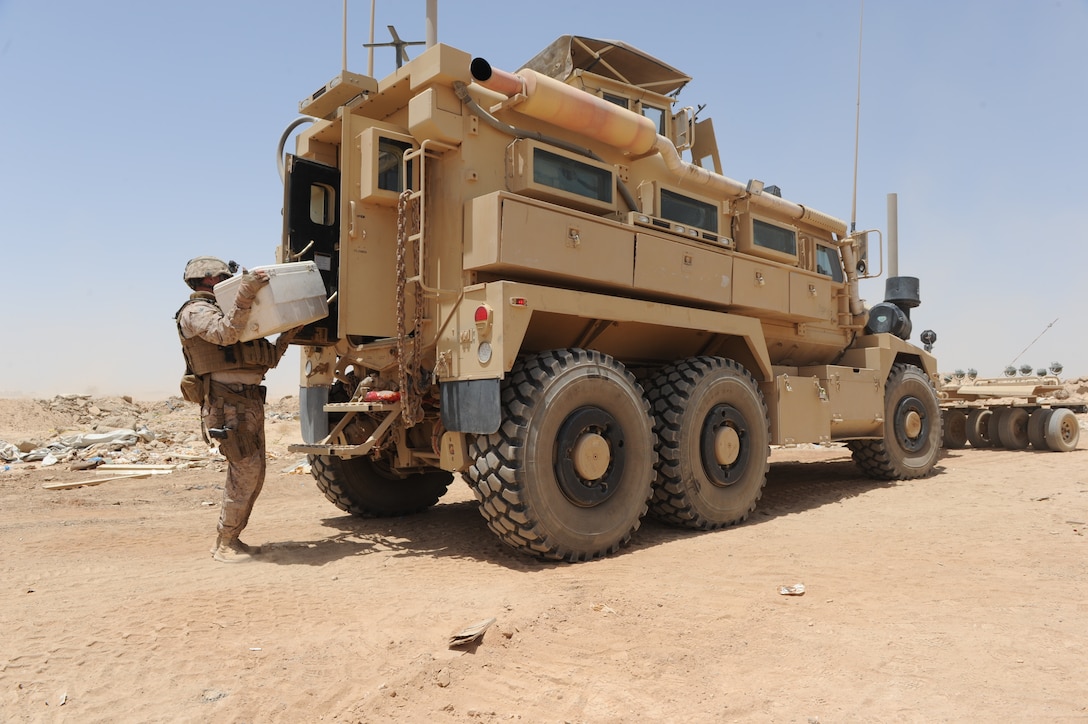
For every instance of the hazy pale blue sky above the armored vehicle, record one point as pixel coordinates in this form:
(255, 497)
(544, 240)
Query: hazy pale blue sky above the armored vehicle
(139, 134)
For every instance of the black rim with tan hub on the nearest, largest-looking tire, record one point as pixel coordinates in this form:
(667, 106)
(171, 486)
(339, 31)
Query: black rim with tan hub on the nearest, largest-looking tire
(589, 457)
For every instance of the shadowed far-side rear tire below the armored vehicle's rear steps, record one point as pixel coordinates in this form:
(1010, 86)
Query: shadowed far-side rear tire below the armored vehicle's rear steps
(362, 487)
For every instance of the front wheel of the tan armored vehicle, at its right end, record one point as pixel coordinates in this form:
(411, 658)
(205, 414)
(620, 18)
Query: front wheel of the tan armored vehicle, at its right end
(912, 439)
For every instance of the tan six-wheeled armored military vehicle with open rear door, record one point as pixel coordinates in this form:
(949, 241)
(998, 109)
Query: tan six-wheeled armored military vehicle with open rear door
(534, 289)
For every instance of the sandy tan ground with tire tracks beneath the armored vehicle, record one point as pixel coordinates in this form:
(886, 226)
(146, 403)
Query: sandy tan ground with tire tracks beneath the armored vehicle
(962, 597)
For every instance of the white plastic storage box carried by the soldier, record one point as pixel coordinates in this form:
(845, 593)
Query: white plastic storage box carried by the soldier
(295, 296)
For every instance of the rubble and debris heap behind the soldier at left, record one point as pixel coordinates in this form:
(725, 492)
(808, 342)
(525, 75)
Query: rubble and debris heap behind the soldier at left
(83, 432)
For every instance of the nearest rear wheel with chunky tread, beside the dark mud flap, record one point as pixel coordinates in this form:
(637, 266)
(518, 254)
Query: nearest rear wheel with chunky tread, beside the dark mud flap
(568, 475)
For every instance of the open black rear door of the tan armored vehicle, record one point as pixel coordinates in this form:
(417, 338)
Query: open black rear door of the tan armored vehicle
(312, 234)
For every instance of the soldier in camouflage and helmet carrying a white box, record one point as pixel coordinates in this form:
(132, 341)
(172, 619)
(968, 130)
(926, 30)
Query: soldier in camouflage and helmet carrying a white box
(229, 375)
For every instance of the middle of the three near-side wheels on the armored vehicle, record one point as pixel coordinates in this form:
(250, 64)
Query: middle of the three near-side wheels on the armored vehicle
(713, 444)
